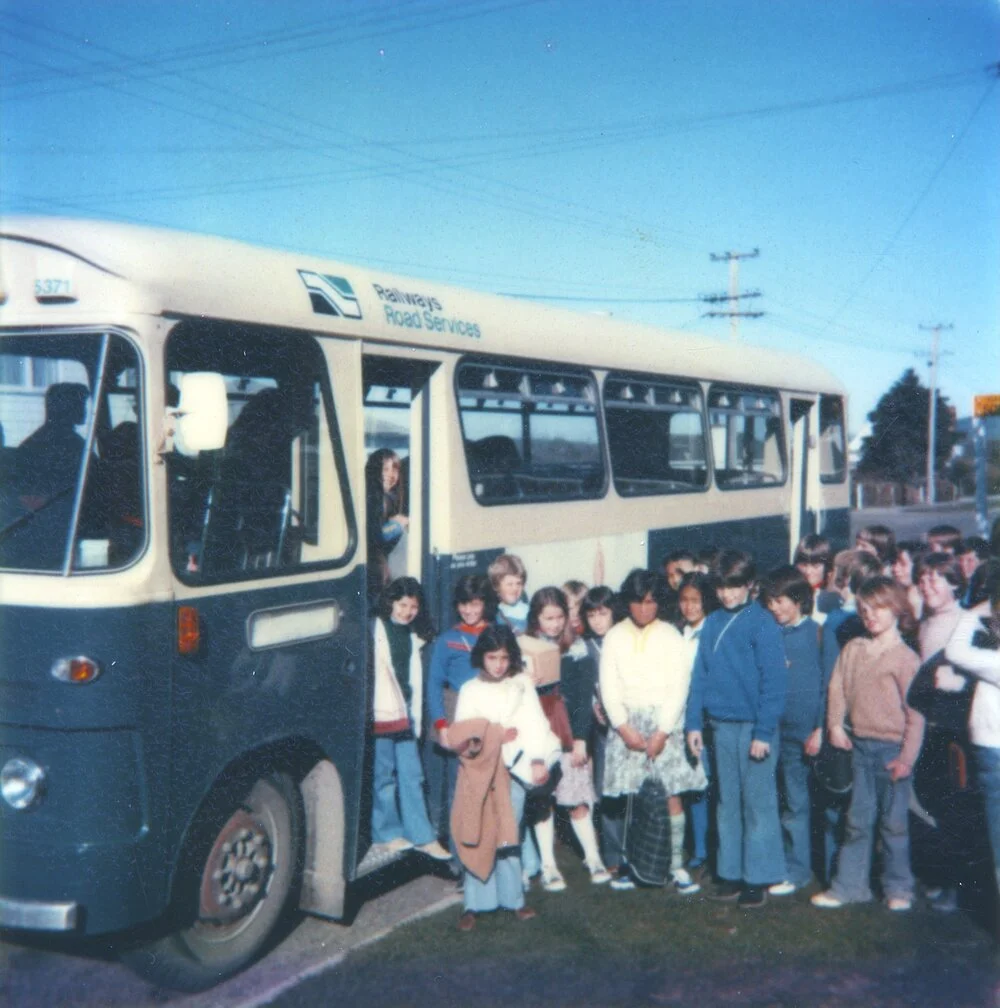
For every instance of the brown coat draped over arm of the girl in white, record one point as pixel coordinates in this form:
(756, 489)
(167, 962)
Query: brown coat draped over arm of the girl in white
(482, 815)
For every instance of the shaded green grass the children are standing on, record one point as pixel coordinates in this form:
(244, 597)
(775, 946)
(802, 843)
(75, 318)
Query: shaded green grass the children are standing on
(592, 946)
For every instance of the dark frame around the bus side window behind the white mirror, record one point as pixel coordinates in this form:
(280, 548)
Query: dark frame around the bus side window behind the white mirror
(215, 326)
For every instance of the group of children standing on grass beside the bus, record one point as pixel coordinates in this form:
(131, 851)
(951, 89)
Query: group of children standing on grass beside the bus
(719, 687)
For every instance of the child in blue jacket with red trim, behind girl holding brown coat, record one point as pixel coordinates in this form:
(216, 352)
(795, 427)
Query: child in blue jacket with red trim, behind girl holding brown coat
(451, 669)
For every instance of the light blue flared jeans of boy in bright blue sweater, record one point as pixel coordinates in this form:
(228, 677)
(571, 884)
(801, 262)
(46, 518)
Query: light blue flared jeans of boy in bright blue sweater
(747, 816)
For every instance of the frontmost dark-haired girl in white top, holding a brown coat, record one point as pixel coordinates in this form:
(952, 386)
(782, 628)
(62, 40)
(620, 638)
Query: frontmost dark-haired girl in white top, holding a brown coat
(501, 694)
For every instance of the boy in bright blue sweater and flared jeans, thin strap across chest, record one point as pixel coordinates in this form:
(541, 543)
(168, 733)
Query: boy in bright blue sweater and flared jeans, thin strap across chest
(739, 684)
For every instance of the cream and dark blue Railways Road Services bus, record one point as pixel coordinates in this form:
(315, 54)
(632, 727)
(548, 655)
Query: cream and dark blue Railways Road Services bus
(185, 423)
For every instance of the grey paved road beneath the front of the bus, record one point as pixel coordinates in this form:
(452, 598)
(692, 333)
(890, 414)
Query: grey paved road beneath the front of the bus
(36, 976)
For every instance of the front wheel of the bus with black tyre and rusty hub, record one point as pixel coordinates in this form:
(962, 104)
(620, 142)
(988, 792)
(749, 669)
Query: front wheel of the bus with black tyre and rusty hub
(240, 867)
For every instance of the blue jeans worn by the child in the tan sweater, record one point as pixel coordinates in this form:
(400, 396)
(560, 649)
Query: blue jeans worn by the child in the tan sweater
(876, 800)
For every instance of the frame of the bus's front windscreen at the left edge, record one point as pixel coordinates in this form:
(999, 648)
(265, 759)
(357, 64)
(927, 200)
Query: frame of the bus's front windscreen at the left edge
(146, 457)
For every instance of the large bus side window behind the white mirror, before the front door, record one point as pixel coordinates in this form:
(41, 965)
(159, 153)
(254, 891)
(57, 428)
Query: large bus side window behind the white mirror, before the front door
(255, 506)
